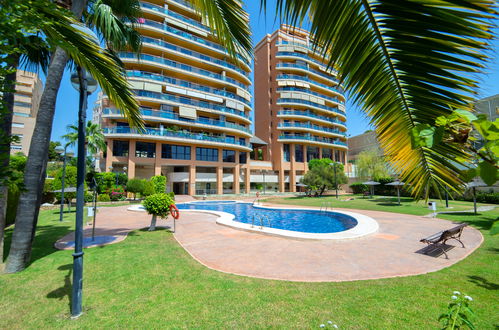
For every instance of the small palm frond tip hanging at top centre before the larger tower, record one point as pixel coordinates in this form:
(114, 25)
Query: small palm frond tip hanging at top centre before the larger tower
(231, 23)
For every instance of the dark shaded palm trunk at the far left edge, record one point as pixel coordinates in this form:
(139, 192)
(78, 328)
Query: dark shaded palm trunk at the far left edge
(5, 135)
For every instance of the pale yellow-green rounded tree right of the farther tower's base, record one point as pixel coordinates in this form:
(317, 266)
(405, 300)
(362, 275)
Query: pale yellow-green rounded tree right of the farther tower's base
(371, 165)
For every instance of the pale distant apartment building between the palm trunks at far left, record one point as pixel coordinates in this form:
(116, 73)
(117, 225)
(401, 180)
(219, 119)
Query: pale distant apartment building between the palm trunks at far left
(27, 96)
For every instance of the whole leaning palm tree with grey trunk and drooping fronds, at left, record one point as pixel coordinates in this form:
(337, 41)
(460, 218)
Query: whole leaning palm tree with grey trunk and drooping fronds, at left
(107, 69)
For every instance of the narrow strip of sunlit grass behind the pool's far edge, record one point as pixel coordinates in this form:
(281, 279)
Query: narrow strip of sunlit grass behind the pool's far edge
(378, 203)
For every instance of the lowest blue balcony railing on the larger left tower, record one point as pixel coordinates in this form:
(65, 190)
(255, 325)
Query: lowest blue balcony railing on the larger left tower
(174, 134)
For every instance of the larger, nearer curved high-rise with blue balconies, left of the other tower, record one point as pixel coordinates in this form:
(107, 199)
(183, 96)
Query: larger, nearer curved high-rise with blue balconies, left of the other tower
(195, 101)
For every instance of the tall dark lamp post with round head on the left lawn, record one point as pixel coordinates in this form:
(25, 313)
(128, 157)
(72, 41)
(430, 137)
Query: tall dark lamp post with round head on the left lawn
(85, 85)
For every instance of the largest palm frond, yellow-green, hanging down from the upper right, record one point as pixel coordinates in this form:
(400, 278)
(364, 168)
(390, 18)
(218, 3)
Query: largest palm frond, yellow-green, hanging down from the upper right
(406, 63)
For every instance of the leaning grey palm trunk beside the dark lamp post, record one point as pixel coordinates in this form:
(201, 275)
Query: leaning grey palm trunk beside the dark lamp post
(34, 175)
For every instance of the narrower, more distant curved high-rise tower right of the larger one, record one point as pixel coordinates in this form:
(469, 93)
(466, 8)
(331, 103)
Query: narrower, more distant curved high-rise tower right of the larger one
(299, 105)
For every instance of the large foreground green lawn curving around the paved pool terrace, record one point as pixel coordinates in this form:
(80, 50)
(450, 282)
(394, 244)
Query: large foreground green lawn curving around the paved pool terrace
(149, 281)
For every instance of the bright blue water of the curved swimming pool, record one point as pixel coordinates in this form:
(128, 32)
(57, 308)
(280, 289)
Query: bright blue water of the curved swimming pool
(307, 221)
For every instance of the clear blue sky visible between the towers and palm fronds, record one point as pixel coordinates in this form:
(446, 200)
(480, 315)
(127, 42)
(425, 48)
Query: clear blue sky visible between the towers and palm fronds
(261, 24)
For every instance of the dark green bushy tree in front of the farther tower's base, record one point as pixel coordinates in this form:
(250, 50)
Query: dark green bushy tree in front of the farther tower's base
(321, 175)
